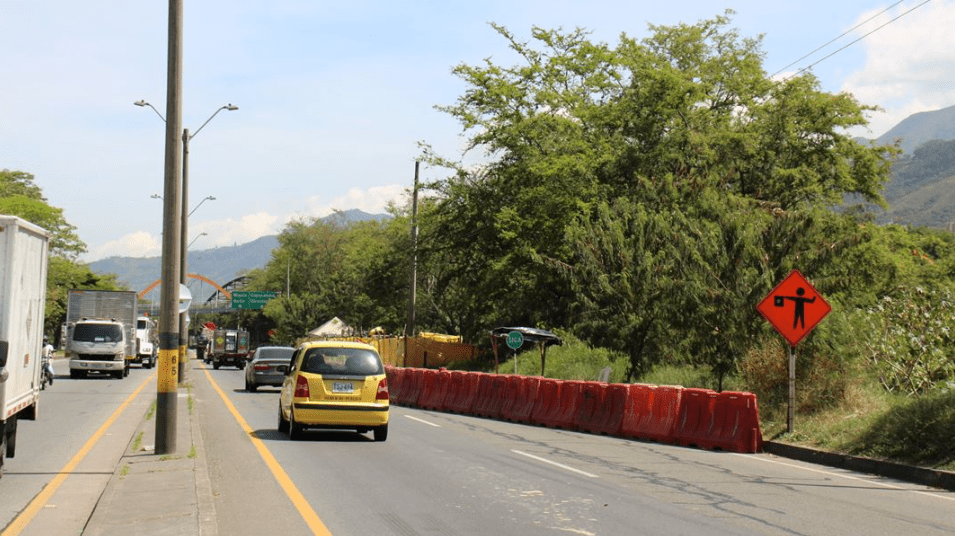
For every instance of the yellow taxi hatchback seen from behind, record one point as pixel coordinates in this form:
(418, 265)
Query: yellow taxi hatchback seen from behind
(334, 385)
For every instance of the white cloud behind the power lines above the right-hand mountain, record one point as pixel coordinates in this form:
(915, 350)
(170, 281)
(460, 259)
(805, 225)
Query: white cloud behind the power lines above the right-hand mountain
(908, 63)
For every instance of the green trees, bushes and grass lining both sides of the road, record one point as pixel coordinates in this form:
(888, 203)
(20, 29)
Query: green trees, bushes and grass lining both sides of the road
(639, 200)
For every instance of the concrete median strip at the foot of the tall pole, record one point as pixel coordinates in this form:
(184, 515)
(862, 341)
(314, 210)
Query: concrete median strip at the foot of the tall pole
(152, 494)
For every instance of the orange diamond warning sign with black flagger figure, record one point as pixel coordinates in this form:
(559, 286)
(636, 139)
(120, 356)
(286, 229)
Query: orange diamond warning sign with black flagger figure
(794, 307)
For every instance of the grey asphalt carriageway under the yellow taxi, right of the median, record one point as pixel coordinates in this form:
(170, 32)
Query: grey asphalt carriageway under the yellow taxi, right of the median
(450, 474)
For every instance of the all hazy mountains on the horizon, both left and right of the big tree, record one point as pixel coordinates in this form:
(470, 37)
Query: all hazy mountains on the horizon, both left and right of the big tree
(920, 192)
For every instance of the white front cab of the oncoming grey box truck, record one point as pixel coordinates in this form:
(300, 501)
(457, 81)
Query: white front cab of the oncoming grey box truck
(99, 346)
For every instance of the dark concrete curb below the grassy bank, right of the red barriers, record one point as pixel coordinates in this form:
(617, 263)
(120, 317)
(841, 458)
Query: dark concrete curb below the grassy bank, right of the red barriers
(908, 473)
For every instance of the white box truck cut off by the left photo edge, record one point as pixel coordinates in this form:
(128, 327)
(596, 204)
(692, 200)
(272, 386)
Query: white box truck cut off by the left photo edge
(23, 272)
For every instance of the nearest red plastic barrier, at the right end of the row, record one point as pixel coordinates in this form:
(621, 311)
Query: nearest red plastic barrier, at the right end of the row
(736, 419)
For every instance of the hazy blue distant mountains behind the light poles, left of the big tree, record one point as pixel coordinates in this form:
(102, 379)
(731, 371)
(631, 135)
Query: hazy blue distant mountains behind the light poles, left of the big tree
(220, 264)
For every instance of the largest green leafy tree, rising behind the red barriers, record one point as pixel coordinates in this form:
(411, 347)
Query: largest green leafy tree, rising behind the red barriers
(670, 178)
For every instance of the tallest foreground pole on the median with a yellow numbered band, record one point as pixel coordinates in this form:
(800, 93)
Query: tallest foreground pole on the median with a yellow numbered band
(168, 369)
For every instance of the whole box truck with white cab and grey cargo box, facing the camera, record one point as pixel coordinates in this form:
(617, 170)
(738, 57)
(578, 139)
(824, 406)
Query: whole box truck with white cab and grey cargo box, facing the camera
(101, 331)
